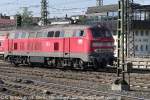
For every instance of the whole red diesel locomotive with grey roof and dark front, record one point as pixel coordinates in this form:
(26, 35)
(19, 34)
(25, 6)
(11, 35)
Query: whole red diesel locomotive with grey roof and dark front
(76, 46)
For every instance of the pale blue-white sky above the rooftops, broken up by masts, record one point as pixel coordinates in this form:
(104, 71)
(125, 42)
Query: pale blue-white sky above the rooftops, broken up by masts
(56, 7)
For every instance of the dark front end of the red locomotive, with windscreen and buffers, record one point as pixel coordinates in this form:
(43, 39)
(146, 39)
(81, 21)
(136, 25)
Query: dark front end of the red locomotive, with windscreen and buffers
(102, 46)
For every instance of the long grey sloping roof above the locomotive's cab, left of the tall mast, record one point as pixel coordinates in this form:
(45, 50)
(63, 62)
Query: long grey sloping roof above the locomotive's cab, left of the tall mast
(101, 9)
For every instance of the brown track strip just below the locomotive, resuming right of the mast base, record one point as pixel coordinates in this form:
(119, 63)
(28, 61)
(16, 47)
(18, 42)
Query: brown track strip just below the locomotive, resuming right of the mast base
(137, 81)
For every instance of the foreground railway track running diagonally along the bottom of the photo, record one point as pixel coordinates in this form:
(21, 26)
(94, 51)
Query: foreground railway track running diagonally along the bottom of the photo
(43, 90)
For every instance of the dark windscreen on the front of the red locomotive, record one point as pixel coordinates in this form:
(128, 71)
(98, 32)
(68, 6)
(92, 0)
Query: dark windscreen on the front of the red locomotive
(100, 32)
